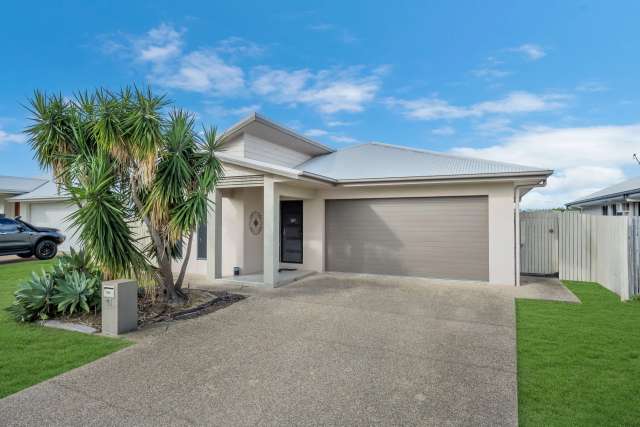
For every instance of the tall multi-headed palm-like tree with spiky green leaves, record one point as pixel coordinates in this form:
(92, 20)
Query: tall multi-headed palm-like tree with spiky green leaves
(126, 162)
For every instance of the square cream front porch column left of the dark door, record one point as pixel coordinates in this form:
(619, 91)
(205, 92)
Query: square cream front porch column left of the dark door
(271, 252)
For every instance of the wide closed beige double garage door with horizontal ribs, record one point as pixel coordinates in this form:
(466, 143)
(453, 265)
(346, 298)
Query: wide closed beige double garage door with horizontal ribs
(440, 237)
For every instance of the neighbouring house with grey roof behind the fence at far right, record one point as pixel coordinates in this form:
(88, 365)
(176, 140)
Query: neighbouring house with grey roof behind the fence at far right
(619, 199)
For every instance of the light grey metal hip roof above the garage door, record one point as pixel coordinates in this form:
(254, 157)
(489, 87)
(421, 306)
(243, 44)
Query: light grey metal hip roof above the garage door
(376, 161)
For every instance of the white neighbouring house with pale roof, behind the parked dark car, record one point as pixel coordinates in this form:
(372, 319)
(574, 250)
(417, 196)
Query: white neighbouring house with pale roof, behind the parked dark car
(46, 206)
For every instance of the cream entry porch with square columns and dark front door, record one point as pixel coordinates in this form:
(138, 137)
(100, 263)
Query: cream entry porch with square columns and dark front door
(266, 233)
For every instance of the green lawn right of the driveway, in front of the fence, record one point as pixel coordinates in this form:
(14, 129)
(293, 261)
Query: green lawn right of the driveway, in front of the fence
(579, 364)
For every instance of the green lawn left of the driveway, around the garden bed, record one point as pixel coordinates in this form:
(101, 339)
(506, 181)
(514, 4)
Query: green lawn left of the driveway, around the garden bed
(30, 354)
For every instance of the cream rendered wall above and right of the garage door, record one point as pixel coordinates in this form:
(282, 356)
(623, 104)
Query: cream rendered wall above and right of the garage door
(501, 215)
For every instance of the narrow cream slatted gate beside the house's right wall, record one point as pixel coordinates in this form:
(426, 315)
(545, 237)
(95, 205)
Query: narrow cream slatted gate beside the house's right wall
(539, 242)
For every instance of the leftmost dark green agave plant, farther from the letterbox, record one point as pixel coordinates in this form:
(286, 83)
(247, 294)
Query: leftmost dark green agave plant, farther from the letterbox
(33, 298)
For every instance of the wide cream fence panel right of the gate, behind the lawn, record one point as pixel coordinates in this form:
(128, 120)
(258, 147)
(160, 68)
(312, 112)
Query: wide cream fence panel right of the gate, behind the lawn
(595, 249)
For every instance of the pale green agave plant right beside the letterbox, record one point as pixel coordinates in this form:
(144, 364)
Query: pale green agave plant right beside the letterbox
(77, 291)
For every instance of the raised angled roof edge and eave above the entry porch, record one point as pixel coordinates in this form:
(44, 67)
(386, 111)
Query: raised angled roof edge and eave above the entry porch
(260, 126)
